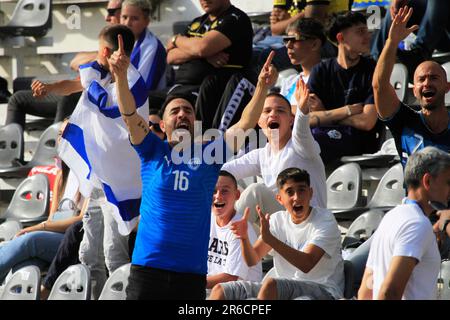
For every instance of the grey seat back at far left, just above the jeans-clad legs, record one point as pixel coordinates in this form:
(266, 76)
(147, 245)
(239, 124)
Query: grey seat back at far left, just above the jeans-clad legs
(30, 200)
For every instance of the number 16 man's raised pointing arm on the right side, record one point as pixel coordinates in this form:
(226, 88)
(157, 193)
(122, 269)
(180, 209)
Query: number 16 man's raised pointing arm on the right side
(252, 111)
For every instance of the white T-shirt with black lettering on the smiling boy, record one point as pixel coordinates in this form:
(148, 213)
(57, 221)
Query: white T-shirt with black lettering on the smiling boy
(224, 252)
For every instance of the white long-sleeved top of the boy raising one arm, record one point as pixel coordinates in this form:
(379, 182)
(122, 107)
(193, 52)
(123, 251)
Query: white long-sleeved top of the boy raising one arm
(301, 151)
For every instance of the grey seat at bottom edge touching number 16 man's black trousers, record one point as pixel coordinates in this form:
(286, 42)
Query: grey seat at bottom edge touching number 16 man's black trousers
(114, 288)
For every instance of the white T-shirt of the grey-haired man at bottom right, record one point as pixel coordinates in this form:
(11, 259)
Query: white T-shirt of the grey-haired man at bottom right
(406, 231)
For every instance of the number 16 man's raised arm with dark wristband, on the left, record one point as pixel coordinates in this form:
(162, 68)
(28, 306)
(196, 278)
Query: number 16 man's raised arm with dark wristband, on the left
(137, 126)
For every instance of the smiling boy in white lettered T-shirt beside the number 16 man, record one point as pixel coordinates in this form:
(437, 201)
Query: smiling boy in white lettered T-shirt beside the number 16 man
(225, 262)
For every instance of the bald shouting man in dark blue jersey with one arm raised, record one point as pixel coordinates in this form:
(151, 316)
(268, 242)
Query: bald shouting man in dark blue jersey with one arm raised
(412, 130)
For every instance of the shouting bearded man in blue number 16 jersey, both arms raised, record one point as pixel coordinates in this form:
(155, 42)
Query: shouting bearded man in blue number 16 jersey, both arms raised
(170, 256)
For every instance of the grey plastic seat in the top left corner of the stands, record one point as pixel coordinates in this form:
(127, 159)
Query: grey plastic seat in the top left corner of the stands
(31, 18)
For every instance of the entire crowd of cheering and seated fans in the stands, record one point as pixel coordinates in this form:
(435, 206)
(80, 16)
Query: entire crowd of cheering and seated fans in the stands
(196, 230)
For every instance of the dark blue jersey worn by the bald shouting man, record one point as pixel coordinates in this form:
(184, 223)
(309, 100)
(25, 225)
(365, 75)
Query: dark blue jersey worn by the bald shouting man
(411, 133)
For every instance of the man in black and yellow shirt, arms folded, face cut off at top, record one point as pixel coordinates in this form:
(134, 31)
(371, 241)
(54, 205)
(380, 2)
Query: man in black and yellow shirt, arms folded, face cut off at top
(213, 56)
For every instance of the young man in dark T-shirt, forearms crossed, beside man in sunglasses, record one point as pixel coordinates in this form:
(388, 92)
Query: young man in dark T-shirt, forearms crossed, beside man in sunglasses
(344, 119)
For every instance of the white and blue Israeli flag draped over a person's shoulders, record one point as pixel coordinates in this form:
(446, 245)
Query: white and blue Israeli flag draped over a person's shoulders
(96, 147)
